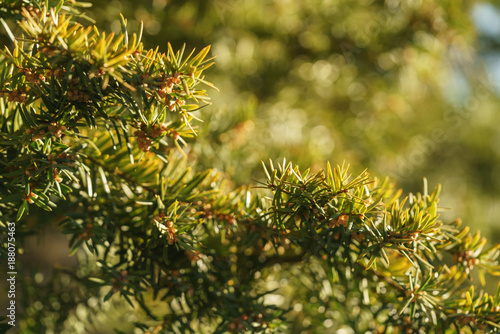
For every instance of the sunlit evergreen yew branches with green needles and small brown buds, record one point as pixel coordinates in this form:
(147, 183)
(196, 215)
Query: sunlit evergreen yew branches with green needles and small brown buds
(93, 127)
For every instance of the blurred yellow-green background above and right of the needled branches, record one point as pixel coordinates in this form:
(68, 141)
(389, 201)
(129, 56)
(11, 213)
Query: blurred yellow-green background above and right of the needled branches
(405, 88)
